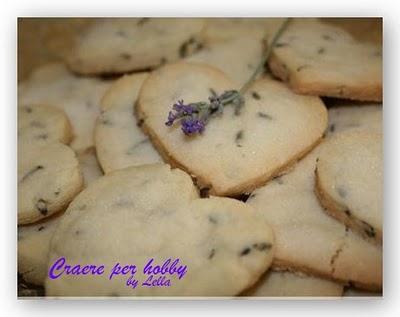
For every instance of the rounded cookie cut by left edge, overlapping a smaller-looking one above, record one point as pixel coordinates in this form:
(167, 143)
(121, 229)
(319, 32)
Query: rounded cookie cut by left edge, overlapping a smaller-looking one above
(49, 177)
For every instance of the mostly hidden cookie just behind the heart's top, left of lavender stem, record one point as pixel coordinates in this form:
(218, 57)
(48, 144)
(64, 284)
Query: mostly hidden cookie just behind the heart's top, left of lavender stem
(238, 58)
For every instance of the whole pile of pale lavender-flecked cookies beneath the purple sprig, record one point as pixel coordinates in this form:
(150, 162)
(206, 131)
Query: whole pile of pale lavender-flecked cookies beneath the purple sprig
(281, 196)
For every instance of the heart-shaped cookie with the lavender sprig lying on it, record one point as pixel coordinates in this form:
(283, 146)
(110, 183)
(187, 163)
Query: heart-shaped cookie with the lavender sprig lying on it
(237, 151)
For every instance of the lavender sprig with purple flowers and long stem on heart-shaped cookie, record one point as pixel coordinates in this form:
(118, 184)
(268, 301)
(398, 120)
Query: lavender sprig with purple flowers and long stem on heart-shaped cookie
(193, 117)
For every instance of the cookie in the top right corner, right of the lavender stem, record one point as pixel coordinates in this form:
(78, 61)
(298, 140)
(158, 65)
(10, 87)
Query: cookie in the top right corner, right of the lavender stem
(324, 60)
